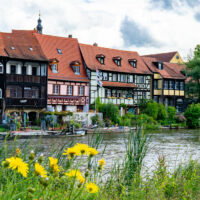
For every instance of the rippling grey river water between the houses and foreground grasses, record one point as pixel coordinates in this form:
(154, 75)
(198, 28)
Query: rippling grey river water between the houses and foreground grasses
(178, 146)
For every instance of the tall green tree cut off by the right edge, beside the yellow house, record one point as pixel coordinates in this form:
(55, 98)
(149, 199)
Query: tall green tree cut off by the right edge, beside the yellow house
(193, 74)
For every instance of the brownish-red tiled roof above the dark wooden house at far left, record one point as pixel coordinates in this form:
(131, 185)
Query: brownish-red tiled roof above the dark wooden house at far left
(18, 43)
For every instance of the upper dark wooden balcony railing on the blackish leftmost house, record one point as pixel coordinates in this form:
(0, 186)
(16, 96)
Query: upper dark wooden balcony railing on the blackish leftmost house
(25, 78)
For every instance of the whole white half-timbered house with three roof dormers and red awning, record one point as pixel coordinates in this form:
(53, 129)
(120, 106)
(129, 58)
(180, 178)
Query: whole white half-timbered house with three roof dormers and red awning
(123, 75)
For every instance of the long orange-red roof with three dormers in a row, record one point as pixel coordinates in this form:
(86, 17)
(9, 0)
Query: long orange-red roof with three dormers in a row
(89, 53)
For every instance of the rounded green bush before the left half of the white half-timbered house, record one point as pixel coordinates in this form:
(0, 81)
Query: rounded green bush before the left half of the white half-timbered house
(110, 111)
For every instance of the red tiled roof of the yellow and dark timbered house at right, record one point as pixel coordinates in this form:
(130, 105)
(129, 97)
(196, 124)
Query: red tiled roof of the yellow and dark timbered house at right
(170, 70)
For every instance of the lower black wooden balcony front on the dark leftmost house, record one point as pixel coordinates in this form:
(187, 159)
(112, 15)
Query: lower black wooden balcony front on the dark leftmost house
(25, 103)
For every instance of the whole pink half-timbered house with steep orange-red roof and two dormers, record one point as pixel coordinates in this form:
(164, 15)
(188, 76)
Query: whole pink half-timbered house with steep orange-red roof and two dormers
(68, 85)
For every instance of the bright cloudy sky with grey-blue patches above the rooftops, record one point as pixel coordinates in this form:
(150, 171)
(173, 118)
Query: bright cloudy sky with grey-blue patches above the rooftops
(145, 26)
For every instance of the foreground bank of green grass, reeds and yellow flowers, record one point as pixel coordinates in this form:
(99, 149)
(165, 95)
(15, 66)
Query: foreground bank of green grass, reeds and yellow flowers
(76, 171)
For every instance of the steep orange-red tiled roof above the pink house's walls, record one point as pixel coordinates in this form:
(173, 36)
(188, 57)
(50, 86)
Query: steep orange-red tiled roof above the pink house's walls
(70, 52)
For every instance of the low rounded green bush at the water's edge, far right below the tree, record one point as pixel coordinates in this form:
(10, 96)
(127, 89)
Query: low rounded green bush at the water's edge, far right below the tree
(192, 114)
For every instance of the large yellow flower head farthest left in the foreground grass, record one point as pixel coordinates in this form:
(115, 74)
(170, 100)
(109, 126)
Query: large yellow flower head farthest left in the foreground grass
(19, 165)
